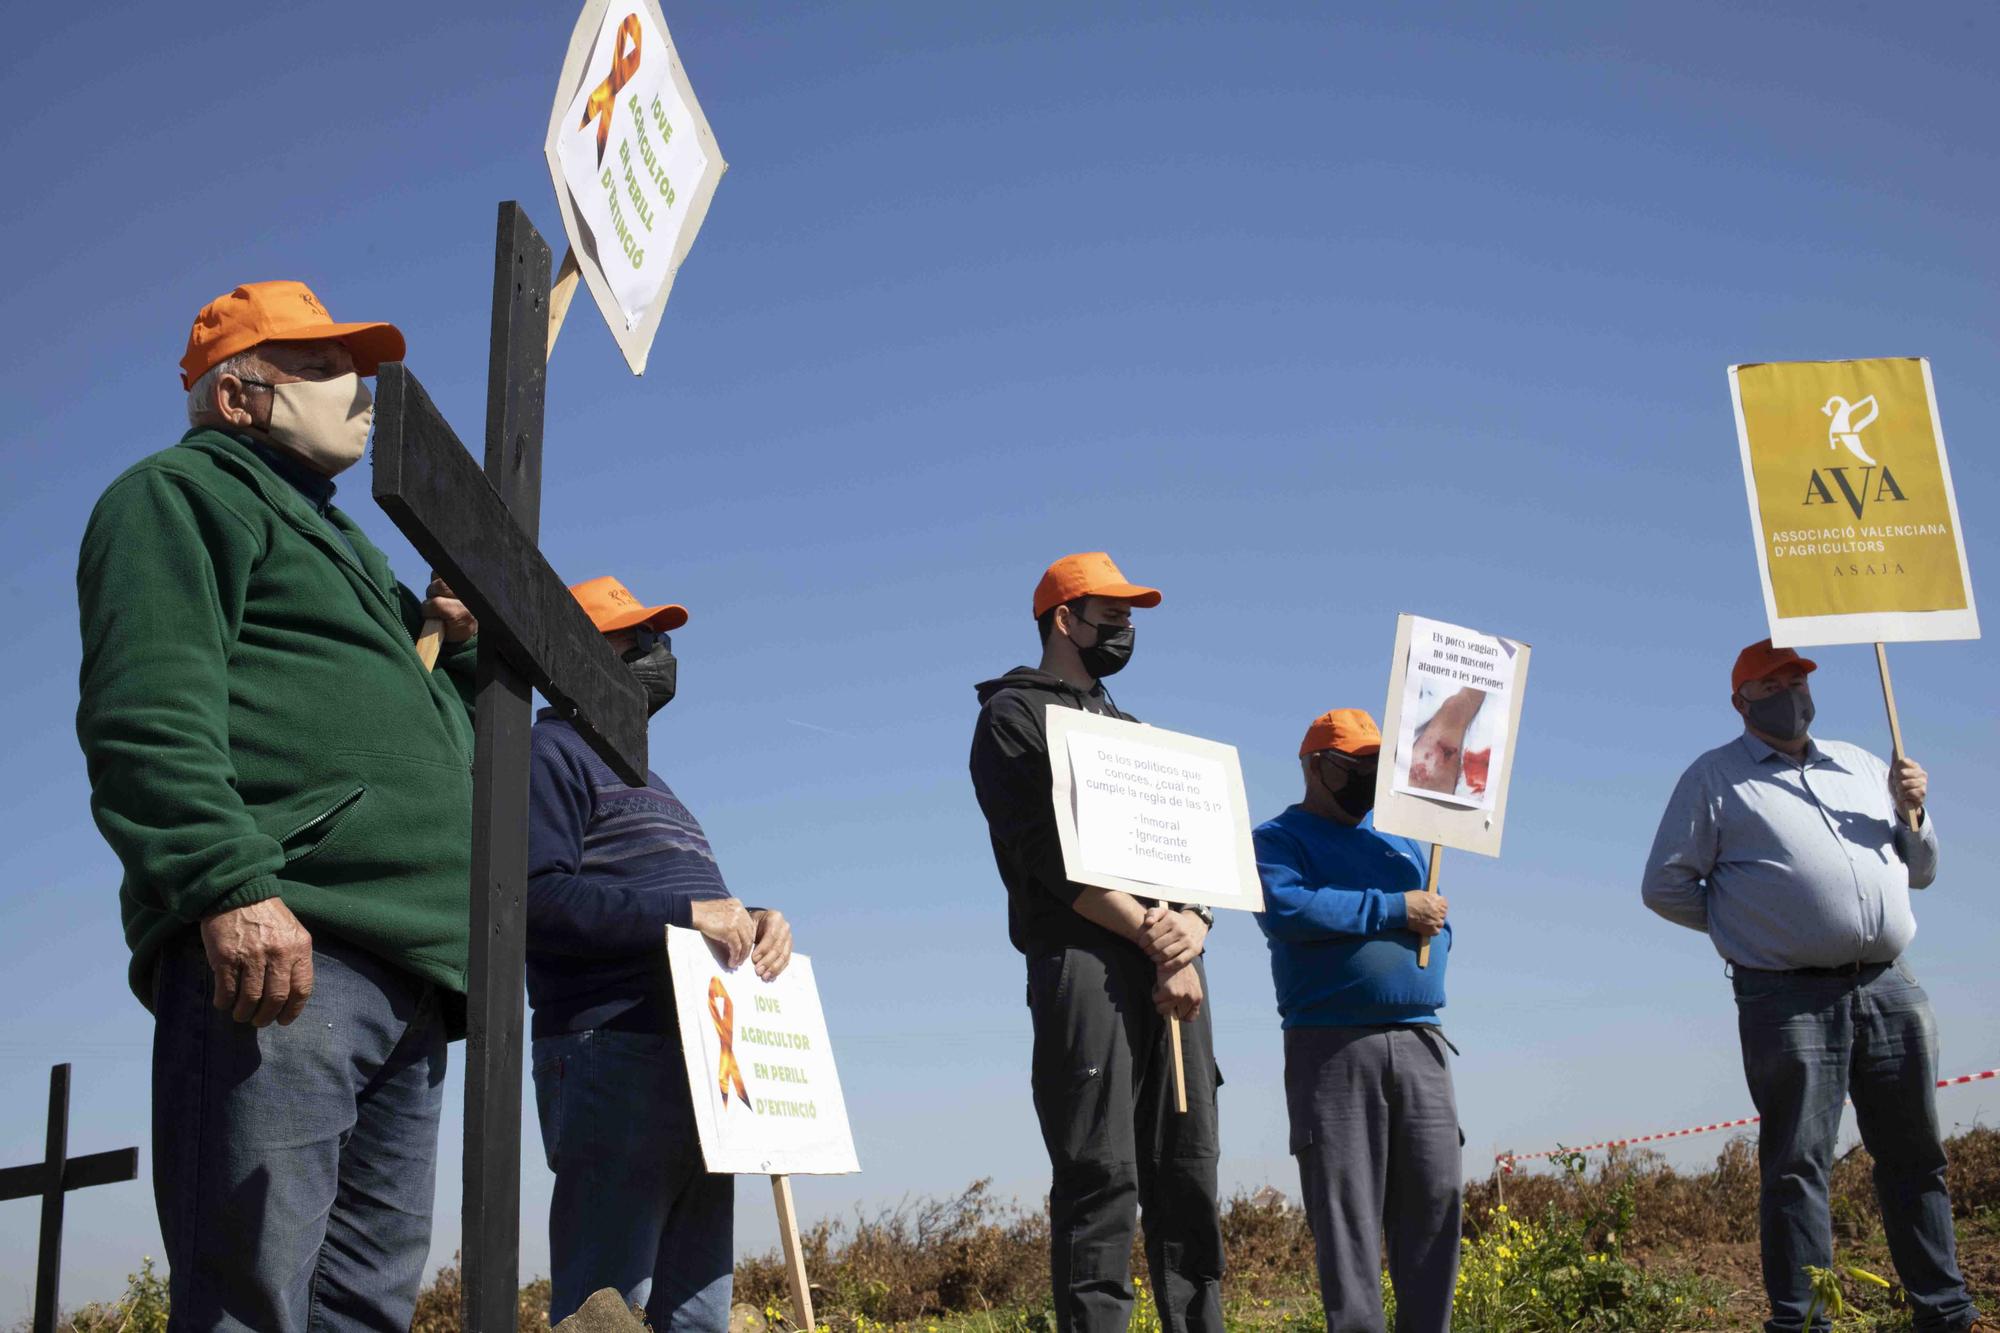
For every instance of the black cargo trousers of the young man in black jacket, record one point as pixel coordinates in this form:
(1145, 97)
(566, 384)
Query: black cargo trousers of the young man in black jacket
(1105, 1096)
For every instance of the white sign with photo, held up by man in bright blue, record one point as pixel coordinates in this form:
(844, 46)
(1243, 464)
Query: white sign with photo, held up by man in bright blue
(1453, 718)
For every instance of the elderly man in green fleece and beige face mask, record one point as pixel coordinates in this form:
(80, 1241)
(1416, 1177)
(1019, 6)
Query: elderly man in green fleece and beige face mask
(291, 798)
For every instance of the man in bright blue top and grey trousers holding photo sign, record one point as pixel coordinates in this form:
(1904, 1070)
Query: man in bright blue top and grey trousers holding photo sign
(1367, 1078)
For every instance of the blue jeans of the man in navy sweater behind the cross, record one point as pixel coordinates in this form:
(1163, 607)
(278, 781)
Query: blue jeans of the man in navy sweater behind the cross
(635, 1206)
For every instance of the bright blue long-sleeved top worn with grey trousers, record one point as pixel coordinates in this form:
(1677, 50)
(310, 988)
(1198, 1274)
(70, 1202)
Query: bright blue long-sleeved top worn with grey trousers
(1341, 950)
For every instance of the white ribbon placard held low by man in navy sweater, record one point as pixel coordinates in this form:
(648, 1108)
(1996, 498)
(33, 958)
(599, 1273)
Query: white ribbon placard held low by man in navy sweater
(761, 1068)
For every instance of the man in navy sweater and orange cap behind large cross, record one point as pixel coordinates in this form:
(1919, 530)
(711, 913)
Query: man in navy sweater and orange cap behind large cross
(609, 870)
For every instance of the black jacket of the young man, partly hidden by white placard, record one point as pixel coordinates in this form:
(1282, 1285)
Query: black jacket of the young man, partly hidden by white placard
(1013, 782)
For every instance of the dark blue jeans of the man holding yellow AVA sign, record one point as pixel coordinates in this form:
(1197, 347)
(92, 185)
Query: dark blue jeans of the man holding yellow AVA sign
(1809, 1046)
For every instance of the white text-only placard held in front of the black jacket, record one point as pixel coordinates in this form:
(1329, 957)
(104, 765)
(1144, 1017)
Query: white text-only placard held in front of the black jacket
(1151, 812)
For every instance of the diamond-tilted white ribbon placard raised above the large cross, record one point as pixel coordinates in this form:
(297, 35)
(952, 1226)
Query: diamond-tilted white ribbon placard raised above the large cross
(633, 161)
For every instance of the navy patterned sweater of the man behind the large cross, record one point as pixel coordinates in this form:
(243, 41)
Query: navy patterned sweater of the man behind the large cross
(609, 870)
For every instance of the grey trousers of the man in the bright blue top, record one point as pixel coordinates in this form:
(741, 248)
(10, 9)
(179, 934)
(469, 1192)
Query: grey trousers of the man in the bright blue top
(1375, 1130)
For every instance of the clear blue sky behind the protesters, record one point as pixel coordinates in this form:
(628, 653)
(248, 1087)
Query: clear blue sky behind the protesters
(1307, 317)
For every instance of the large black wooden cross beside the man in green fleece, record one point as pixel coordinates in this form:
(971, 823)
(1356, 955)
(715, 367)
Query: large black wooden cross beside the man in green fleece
(479, 531)
